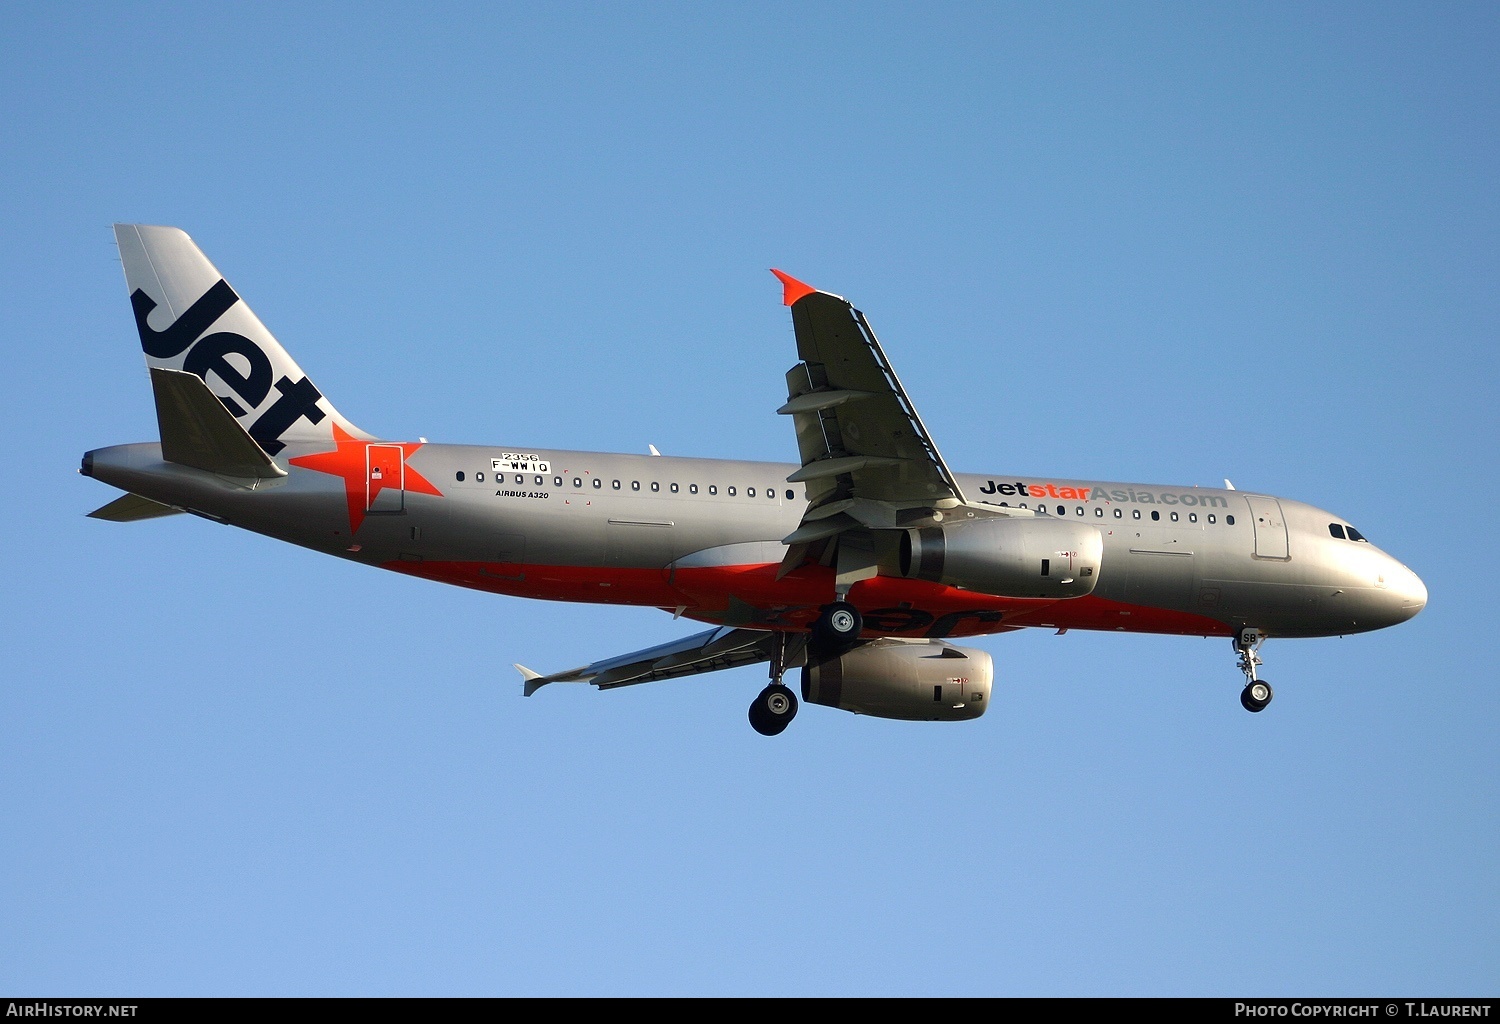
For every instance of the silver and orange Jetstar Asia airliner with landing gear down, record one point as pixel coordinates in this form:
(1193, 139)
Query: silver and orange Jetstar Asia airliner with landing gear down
(857, 566)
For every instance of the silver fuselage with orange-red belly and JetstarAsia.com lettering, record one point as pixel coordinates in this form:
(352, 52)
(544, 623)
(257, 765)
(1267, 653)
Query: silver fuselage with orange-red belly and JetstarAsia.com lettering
(703, 537)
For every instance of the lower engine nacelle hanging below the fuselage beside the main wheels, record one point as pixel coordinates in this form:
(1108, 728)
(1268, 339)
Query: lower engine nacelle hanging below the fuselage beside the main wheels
(908, 680)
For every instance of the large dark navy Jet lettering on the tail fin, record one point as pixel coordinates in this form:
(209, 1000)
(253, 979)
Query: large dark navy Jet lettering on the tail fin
(209, 355)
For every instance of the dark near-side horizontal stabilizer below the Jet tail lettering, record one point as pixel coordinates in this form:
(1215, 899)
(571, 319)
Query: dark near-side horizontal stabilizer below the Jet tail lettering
(199, 433)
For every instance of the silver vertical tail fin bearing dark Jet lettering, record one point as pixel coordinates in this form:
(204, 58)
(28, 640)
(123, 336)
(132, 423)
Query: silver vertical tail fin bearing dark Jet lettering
(191, 320)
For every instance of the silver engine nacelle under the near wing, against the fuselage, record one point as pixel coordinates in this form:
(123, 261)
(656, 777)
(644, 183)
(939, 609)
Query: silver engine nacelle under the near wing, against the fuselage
(1007, 557)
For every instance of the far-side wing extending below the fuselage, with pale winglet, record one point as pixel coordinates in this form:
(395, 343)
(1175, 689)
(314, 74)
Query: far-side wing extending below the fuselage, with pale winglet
(710, 651)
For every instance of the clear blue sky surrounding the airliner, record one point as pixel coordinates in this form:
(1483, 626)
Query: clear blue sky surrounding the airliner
(1126, 242)
